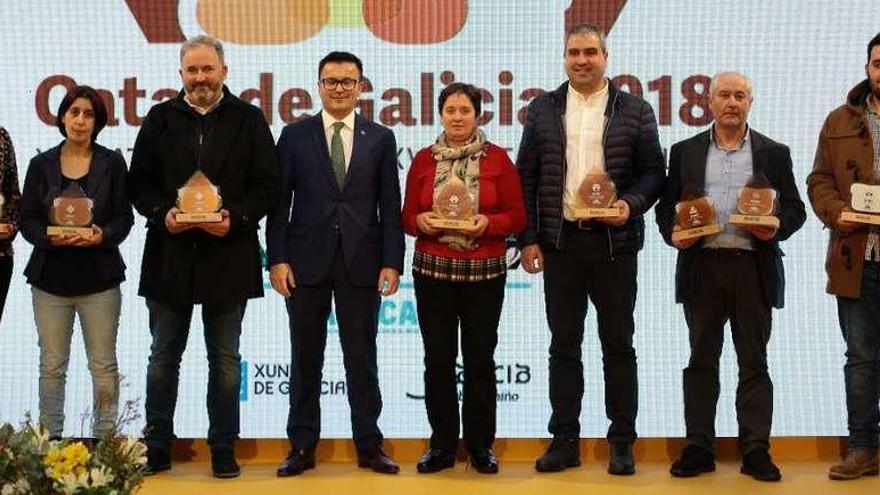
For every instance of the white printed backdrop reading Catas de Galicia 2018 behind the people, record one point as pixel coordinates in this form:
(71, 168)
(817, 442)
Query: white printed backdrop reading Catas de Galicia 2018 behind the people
(803, 55)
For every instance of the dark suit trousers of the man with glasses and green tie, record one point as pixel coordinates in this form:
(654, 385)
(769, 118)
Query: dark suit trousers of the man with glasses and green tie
(357, 313)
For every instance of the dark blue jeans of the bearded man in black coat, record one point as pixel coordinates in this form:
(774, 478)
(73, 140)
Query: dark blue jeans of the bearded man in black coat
(169, 326)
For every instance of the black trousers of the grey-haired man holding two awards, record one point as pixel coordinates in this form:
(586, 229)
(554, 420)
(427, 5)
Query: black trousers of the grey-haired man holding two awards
(728, 288)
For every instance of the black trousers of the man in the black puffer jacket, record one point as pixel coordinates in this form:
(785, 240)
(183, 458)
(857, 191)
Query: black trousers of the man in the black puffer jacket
(585, 270)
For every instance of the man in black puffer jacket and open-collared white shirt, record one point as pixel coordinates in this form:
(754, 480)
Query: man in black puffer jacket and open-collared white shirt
(588, 125)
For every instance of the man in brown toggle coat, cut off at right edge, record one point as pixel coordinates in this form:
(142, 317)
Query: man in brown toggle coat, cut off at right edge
(848, 153)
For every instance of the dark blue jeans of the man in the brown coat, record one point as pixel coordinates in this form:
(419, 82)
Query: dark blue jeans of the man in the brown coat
(860, 323)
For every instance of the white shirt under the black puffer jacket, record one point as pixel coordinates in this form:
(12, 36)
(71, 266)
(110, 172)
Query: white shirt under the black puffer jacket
(584, 130)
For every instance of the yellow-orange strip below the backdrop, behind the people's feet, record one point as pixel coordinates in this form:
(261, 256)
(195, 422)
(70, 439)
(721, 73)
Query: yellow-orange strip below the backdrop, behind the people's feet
(801, 449)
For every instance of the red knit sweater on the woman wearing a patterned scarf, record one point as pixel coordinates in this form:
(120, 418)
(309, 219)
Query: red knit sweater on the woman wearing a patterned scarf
(501, 200)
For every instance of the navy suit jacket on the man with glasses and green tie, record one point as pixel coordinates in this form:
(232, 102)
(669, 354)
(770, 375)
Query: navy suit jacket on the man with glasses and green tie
(363, 216)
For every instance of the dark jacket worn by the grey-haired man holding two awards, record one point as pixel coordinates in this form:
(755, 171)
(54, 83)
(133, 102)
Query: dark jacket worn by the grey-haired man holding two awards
(687, 171)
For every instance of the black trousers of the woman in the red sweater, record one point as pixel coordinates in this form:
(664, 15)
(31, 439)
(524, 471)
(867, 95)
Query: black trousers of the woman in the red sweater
(476, 306)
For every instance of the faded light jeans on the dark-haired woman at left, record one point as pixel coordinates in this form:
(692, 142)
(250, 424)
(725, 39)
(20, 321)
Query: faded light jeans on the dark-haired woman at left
(99, 320)
